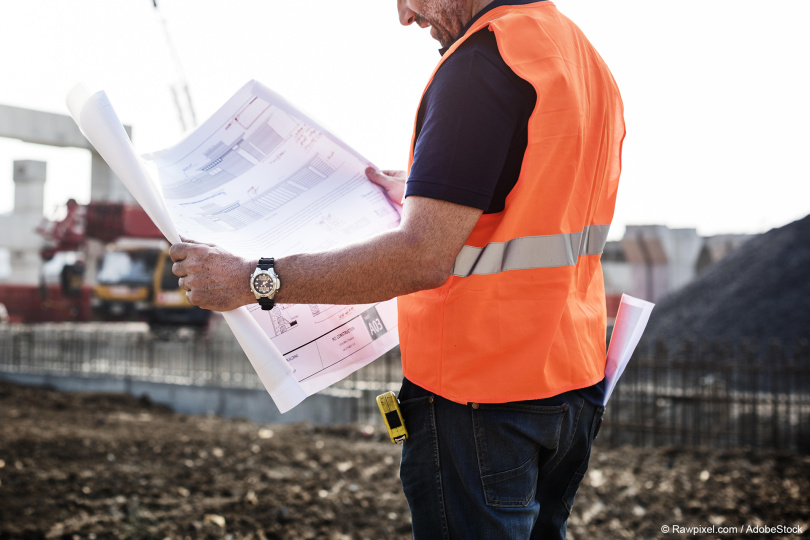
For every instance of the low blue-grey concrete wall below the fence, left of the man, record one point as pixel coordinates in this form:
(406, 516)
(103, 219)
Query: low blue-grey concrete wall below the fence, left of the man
(255, 405)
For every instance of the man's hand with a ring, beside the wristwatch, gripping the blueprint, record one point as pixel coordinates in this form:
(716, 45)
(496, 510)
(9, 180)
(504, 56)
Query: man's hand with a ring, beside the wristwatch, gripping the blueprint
(213, 278)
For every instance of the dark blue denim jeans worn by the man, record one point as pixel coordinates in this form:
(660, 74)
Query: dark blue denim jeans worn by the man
(496, 471)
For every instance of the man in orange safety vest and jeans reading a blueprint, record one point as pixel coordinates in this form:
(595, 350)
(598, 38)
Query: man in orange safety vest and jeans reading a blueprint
(511, 187)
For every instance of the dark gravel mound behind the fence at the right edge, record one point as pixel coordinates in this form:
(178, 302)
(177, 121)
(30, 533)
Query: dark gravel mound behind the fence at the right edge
(759, 292)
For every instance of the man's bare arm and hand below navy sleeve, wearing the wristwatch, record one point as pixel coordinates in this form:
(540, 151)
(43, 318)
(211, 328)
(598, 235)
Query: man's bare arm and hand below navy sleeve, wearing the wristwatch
(418, 255)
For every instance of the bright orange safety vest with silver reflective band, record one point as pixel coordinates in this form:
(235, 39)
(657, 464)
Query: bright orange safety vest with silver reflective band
(523, 314)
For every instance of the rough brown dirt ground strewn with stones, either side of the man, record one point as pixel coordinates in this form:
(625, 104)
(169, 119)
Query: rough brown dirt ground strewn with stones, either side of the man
(109, 466)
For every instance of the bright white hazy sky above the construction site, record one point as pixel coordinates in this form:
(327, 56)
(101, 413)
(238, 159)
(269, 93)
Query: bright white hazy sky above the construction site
(716, 92)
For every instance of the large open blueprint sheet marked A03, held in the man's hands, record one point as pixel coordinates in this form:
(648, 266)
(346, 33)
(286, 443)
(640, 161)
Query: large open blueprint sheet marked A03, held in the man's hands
(260, 178)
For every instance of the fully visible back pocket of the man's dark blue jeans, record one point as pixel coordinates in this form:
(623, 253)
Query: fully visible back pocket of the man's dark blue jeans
(513, 442)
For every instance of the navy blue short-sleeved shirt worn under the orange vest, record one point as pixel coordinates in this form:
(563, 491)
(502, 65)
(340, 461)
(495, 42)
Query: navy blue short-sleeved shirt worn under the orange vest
(471, 131)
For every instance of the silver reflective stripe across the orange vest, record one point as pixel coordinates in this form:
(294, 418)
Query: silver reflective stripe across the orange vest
(531, 252)
